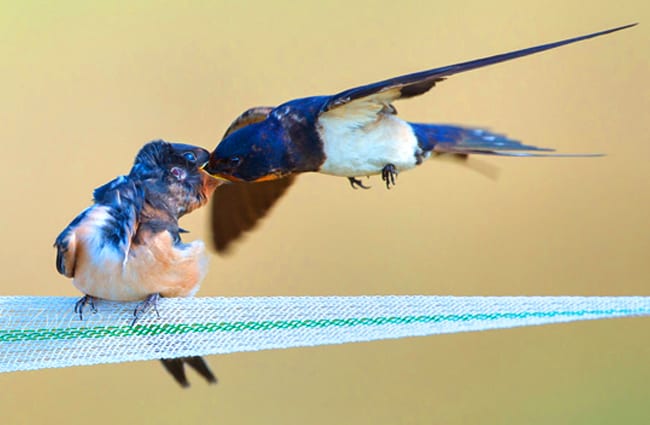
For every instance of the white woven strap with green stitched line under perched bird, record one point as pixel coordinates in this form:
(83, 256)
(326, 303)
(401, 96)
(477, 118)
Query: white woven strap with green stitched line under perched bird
(44, 332)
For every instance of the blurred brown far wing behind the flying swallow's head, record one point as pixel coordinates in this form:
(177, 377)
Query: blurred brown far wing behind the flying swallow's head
(237, 207)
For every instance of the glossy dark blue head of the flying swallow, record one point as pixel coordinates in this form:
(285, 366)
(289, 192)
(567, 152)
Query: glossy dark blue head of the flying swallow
(253, 153)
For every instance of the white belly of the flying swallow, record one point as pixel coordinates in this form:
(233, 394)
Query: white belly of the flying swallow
(362, 151)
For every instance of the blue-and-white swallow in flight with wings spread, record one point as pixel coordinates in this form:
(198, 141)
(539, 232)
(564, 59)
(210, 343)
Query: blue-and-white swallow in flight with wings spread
(353, 133)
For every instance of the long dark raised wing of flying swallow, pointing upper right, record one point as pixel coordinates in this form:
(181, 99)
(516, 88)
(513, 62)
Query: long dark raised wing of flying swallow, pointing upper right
(384, 92)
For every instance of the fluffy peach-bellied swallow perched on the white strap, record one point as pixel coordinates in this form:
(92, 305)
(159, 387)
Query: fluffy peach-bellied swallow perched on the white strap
(127, 245)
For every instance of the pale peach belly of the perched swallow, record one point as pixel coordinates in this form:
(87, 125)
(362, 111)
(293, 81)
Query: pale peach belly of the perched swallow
(157, 267)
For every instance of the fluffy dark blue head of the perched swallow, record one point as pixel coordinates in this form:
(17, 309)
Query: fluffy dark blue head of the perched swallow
(172, 175)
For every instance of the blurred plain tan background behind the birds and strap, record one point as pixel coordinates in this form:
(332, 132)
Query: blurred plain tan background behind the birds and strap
(84, 85)
